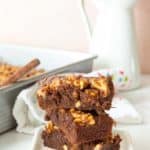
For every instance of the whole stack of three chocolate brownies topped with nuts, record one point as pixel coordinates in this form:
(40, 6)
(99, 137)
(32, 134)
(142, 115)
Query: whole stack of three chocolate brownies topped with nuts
(75, 110)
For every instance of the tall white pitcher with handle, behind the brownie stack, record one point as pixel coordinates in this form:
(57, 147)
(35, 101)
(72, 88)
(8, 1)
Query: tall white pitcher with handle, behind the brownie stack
(113, 37)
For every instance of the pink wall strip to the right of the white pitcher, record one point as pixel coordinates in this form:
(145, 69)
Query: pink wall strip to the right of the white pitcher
(142, 18)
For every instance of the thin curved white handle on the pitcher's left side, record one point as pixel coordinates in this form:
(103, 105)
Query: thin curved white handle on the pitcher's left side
(85, 18)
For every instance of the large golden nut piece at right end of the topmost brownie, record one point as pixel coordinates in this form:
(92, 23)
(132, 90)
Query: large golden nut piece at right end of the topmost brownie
(101, 84)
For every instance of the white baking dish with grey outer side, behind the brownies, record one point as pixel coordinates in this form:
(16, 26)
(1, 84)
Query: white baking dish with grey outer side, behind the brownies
(52, 60)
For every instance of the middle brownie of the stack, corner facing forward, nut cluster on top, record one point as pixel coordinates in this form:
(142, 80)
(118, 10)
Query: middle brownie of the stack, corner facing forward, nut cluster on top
(81, 127)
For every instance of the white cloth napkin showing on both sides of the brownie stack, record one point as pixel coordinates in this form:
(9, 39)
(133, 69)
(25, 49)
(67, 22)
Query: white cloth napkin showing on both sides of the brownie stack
(29, 116)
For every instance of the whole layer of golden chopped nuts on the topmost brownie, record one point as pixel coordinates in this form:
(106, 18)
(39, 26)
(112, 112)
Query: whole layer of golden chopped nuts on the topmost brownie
(93, 87)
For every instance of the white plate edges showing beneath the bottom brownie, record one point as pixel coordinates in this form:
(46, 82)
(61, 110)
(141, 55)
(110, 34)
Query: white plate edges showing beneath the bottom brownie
(126, 144)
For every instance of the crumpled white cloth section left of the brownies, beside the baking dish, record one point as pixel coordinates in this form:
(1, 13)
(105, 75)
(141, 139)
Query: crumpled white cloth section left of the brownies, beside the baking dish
(27, 113)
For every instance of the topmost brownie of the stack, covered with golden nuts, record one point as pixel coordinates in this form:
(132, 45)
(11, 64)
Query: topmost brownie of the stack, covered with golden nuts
(74, 91)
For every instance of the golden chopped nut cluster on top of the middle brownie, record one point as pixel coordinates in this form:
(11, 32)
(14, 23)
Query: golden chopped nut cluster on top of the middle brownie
(82, 118)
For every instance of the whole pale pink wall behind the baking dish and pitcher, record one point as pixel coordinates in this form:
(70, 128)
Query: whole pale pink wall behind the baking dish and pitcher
(58, 24)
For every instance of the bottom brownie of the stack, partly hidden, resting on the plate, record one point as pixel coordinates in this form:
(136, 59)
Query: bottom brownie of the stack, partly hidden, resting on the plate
(54, 138)
